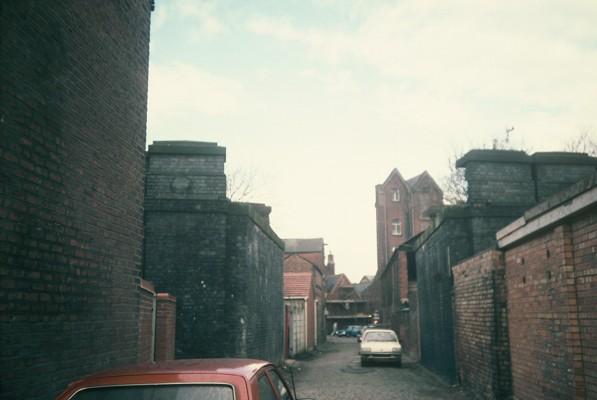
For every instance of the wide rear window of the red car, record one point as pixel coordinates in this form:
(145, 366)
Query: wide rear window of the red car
(158, 392)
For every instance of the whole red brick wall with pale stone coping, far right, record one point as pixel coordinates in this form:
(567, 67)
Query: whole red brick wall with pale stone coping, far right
(551, 288)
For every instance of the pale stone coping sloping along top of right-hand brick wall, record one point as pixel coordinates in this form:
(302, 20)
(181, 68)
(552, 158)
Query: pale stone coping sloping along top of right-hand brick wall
(556, 208)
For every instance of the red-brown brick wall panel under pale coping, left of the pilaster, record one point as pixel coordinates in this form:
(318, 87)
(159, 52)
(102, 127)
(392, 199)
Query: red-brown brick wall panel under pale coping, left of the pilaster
(543, 323)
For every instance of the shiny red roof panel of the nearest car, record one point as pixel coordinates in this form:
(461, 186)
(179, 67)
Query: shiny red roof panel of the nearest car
(246, 368)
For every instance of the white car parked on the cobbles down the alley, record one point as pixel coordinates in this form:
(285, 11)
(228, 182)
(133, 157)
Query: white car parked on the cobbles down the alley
(380, 345)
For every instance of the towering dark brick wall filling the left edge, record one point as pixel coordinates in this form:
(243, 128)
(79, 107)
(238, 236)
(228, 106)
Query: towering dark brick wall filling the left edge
(73, 91)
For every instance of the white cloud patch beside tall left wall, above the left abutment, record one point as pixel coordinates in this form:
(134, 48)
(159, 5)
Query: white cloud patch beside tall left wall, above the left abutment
(184, 88)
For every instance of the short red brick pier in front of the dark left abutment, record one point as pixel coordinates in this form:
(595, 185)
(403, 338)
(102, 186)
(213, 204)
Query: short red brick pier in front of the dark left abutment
(165, 327)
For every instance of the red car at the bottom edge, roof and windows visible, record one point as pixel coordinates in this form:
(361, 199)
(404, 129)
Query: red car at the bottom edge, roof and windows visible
(202, 379)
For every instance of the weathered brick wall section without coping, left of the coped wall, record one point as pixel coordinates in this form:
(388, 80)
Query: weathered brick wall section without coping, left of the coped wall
(481, 326)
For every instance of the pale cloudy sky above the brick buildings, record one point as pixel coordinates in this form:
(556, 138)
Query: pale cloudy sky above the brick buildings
(316, 101)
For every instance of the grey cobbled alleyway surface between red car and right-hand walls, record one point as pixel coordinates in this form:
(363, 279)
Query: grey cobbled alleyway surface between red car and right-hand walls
(335, 373)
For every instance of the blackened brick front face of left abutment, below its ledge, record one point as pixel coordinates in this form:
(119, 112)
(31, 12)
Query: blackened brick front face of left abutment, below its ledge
(185, 254)
